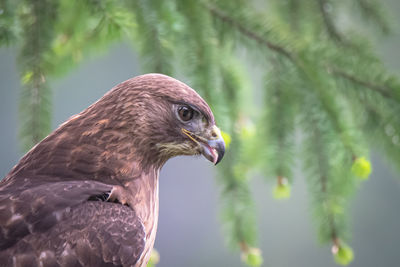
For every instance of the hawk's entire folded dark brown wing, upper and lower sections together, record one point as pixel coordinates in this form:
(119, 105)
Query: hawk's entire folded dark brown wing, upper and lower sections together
(55, 222)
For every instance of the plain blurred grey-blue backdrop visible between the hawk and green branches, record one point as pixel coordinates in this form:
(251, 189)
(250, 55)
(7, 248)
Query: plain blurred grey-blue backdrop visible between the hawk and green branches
(189, 232)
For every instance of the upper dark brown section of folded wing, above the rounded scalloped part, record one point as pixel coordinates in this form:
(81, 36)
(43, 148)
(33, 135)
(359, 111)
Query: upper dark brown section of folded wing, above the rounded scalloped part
(25, 211)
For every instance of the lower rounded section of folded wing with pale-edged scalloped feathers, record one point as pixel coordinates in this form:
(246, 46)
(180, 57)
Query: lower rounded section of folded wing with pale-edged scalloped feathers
(94, 233)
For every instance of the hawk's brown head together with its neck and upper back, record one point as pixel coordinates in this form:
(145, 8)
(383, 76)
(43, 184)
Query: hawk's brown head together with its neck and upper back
(137, 126)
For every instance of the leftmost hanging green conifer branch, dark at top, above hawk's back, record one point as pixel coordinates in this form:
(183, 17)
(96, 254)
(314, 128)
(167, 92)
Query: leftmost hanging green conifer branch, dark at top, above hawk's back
(35, 98)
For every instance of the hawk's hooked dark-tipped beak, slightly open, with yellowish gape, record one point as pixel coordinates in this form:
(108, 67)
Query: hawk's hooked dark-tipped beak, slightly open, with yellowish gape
(212, 148)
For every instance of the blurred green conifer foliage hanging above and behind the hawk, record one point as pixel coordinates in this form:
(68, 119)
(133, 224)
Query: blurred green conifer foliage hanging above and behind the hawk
(327, 98)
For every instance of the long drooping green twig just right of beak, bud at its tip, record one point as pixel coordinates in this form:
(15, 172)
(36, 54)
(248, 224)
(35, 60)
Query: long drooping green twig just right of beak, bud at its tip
(237, 209)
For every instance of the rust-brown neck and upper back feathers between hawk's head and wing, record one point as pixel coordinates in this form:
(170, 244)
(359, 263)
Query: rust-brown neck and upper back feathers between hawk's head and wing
(95, 149)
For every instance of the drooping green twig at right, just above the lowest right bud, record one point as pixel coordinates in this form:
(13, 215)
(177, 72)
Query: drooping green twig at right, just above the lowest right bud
(322, 179)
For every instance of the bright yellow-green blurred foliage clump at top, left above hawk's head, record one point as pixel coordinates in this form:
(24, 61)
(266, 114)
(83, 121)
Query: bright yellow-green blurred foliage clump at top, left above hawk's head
(84, 28)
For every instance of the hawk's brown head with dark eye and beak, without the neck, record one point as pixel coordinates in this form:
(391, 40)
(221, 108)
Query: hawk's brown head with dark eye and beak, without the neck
(166, 119)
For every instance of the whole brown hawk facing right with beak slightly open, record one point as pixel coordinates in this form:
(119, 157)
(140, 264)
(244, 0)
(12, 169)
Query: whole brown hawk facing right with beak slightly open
(87, 195)
